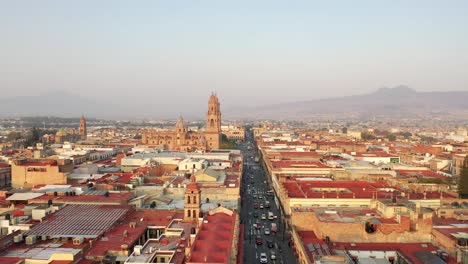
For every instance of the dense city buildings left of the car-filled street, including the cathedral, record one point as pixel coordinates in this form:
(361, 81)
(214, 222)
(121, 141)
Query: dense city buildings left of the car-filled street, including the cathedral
(108, 195)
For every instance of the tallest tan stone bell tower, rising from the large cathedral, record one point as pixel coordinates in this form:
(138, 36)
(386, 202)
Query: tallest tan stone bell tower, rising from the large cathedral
(213, 123)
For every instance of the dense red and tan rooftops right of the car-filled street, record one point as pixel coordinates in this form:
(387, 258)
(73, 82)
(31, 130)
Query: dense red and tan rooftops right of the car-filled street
(359, 196)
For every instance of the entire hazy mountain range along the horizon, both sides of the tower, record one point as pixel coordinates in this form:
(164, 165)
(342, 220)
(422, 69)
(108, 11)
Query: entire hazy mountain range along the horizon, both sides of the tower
(397, 101)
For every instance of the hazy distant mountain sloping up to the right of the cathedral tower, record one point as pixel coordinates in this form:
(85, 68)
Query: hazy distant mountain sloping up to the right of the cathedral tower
(398, 101)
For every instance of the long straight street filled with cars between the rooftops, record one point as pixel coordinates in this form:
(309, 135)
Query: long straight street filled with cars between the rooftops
(260, 212)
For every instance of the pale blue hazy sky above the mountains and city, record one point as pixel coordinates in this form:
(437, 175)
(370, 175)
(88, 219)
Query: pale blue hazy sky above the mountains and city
(175, 53)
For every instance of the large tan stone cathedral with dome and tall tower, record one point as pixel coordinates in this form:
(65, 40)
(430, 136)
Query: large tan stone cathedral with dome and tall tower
(182, 139)
